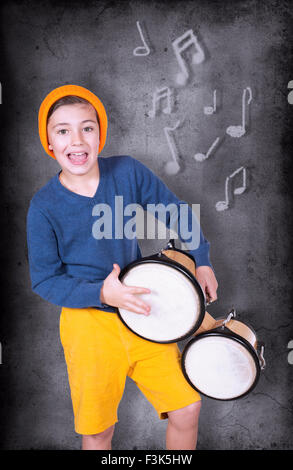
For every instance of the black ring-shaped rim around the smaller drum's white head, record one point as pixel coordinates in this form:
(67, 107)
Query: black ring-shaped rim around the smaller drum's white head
(230, 335)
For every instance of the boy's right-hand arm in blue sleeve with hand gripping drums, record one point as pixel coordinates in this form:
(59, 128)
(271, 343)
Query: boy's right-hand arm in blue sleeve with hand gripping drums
(151, 190)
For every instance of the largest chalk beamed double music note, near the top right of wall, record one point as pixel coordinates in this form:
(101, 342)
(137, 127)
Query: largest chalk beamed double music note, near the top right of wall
(180, 45)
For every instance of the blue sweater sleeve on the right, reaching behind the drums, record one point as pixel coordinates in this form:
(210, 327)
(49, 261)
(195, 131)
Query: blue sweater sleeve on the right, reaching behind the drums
(152, 191)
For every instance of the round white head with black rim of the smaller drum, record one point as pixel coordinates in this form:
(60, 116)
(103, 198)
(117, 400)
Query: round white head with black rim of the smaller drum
(220, 366)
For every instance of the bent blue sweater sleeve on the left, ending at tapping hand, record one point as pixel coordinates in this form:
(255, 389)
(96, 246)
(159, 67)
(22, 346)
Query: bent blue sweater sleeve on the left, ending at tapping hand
(48, 274)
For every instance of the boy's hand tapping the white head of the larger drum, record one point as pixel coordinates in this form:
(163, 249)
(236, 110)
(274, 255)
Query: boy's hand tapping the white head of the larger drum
(116, 294)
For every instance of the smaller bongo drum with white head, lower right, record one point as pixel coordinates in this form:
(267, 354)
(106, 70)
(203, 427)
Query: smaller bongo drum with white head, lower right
(224, 362)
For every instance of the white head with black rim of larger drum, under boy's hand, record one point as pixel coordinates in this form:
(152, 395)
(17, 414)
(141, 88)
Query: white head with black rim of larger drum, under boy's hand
(177, 303)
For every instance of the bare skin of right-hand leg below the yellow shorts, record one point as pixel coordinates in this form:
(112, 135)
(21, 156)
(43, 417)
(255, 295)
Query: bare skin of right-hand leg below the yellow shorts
(181, 433)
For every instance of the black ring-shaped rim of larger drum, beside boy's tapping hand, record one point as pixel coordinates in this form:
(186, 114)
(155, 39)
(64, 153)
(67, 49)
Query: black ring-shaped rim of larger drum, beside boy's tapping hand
(162, 259)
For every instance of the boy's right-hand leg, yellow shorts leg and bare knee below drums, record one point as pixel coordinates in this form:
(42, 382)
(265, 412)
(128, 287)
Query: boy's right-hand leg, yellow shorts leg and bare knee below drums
(158, 374)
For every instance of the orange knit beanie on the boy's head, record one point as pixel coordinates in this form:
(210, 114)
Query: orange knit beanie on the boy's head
(66, 90)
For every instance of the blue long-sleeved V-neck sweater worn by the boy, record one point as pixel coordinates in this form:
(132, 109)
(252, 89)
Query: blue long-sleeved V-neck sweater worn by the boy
(68, 263)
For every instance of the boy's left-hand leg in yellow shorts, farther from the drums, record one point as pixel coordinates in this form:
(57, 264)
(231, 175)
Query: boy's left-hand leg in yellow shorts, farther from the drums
(97, 365)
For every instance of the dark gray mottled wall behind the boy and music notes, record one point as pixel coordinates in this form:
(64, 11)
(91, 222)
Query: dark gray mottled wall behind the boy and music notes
(246, 44)
